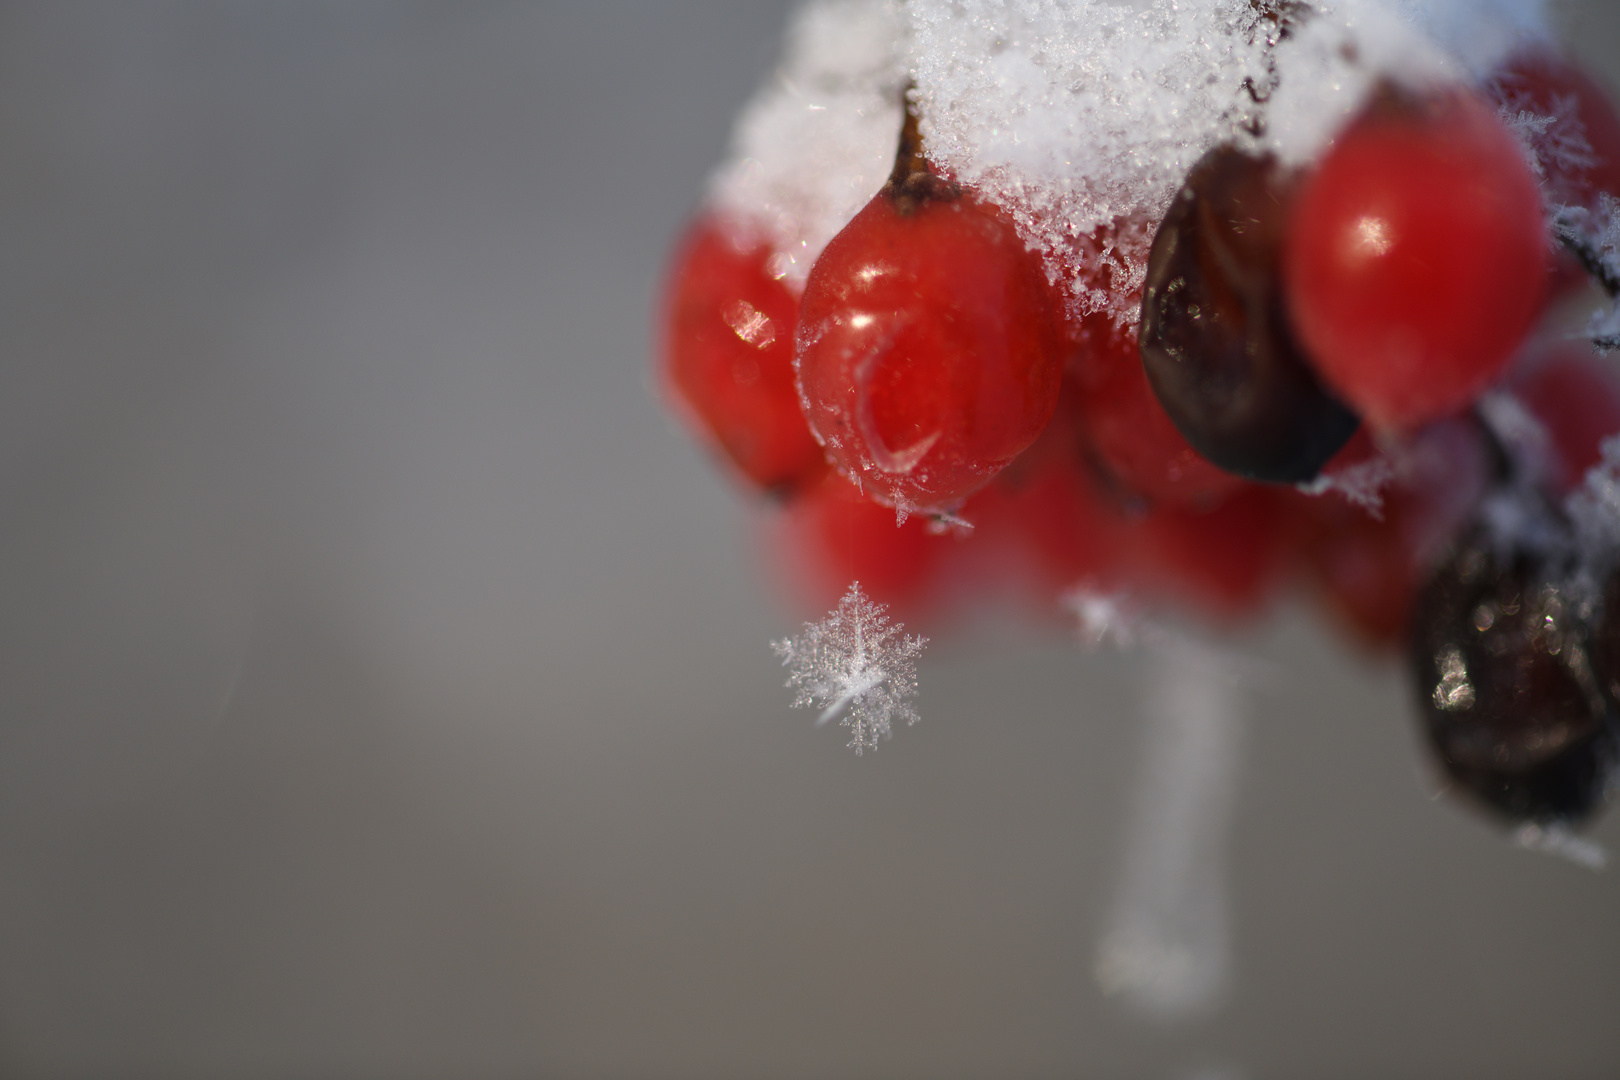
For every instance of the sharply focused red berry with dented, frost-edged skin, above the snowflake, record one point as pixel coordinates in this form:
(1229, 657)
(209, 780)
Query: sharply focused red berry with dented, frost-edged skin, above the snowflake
(929, 349)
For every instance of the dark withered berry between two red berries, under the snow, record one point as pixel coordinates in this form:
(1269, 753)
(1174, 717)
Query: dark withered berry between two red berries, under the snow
(1216, 339)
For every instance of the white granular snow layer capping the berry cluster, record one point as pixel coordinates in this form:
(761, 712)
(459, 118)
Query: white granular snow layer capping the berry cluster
(1080, 117)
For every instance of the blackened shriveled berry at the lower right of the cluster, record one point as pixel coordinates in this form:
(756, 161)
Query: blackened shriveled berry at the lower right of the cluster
(1506, 687)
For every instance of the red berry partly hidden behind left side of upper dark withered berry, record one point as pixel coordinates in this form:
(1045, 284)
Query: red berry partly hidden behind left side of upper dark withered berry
(1130, 432)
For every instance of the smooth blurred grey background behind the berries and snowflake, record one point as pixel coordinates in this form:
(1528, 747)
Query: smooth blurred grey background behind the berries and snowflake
(385, 684)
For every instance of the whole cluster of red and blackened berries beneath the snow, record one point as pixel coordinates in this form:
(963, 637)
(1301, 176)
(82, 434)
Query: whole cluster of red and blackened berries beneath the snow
(1337, 381)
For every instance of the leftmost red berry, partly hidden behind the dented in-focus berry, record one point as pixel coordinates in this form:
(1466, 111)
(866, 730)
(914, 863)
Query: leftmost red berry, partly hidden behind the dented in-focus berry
(728, 349)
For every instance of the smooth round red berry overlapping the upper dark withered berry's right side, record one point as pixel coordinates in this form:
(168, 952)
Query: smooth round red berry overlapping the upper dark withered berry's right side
(1417, 258)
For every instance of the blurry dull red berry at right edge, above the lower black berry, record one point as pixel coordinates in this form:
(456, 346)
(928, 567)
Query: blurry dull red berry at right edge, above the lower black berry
(1577, 399)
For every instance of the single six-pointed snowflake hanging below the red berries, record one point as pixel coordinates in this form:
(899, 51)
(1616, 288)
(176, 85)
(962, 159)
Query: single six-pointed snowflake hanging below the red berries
(855, 663)
